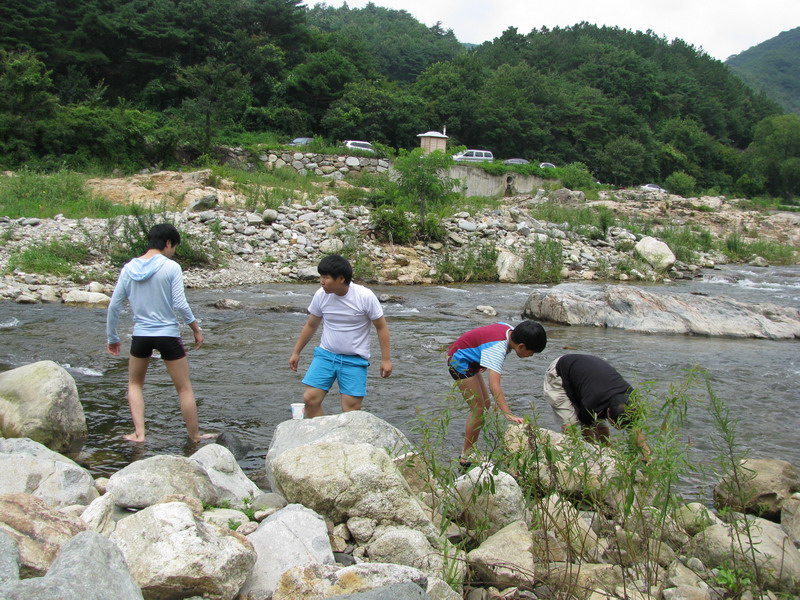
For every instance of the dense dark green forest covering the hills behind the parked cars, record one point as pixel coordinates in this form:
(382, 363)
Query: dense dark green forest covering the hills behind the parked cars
(129, 83)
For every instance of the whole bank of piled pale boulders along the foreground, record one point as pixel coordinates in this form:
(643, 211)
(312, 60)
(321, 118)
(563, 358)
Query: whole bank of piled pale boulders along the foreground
(354, 510)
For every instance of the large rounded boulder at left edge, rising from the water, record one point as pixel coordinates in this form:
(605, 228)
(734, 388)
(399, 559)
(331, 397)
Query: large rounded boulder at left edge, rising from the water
(40, 401)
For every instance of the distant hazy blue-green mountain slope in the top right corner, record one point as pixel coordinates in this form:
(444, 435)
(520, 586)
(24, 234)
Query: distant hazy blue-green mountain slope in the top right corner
(773, 67)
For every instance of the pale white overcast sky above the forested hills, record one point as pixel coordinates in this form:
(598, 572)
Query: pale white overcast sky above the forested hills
(720, 27)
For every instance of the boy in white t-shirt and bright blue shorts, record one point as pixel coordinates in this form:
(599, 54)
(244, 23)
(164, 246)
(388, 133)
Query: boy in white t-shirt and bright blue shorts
(343, 354)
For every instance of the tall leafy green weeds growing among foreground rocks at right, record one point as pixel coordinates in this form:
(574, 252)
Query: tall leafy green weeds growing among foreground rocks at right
(590, 504)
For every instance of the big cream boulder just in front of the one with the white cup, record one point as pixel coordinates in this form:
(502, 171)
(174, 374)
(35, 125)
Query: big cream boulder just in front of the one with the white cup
(341, 481)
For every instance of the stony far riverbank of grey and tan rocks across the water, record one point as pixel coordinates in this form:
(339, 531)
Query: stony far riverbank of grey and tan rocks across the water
(285, 244)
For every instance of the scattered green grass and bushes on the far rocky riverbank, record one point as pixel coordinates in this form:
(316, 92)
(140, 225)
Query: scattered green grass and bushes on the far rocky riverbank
(396, 204)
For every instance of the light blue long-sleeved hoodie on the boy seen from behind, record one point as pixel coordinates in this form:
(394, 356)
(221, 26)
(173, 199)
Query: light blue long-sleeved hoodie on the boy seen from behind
(154, 288)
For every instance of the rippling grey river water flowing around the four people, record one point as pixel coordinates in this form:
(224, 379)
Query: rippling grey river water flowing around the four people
(244, 385)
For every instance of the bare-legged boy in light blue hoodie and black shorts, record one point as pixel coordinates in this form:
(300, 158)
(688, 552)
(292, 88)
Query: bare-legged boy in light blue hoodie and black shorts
(153, 284)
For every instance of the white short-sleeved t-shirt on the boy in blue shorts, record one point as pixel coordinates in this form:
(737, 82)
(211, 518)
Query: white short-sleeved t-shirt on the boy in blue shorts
(346, 319)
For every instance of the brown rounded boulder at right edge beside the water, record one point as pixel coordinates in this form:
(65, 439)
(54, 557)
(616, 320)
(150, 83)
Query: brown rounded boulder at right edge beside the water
(760, 486)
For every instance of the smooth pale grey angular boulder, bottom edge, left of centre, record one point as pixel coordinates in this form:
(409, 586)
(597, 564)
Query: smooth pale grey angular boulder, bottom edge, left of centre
(292, 537)
